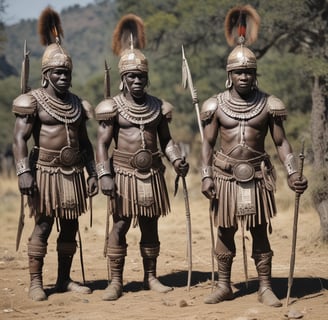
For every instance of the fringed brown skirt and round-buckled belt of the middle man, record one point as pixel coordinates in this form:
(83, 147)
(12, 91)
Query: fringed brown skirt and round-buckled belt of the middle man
(140, 184)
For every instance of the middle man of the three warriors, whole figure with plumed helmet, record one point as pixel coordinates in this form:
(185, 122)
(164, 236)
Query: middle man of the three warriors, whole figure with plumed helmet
(133, 176)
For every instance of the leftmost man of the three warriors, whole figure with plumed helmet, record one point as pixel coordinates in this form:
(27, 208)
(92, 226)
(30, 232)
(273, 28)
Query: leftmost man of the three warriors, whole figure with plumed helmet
(52, 174)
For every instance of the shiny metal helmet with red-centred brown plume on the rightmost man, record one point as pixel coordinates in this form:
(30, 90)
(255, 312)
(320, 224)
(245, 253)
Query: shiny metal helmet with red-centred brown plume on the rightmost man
(241, 28)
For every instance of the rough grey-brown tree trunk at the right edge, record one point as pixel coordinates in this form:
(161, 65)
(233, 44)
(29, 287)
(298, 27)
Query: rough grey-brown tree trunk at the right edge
(319, 136)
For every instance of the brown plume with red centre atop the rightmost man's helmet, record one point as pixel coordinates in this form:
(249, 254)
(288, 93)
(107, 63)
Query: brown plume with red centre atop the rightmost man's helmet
(241, 25)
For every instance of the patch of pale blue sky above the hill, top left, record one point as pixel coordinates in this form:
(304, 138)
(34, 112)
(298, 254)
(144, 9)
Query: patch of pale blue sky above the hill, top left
(16, 10)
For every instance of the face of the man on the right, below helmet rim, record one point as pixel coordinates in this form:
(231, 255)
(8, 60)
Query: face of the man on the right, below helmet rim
(242, 80)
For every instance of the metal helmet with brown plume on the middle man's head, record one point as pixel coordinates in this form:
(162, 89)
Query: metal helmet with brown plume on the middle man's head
(128, 39)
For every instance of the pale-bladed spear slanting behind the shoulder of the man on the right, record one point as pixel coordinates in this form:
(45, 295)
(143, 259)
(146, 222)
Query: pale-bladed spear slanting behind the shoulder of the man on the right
(187, 80)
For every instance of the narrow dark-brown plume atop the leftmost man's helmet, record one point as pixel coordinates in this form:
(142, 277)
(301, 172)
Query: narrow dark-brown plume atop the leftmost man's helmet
(49, 27)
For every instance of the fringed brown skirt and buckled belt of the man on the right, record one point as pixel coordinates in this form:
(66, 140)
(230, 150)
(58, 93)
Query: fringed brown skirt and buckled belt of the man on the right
(244, 191)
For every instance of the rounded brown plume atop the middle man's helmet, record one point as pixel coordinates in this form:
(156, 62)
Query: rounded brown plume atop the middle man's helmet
(130, 28)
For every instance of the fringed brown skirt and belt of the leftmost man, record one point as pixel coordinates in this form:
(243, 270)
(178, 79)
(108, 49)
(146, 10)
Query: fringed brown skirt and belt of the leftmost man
(61, 189)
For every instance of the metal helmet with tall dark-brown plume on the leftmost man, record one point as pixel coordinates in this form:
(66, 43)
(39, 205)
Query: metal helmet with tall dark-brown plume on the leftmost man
(50, 32)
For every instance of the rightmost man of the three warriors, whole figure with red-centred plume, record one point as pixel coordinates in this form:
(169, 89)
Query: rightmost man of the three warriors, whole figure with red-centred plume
(239, 178)
